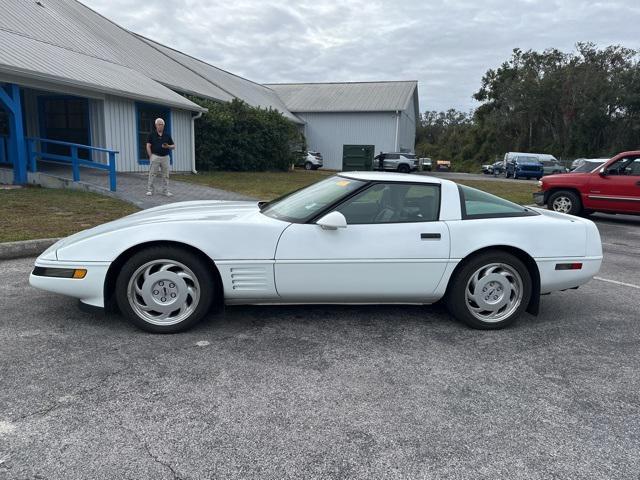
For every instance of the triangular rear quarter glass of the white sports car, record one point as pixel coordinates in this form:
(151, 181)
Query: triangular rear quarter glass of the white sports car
(477, 204)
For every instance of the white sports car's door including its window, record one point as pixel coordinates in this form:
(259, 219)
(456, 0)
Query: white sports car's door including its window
(394, 248)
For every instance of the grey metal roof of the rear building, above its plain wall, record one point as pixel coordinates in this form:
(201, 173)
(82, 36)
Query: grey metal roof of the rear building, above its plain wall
(346, 97)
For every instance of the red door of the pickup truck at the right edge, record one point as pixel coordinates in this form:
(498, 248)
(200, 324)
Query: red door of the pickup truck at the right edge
(618, 189)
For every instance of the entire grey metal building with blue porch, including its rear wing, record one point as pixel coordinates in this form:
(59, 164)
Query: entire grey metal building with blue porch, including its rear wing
(77, 89)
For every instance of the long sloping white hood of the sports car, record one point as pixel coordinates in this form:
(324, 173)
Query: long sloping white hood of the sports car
(210, 210)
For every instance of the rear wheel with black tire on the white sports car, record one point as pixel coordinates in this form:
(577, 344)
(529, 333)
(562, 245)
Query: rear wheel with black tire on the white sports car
(490, 291)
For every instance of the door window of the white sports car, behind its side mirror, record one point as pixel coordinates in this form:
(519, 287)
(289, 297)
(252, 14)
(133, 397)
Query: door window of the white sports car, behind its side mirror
(393, 203)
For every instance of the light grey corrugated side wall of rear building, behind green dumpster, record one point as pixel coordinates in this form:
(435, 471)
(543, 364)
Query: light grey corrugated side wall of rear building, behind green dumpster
(328, 132)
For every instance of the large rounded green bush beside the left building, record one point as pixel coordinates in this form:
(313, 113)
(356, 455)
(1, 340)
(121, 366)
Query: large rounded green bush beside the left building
(235, 136)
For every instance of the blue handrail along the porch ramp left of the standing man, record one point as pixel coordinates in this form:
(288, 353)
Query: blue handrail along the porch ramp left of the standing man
(76, 162)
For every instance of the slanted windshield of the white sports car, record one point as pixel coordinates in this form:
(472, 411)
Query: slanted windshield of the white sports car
(302, 205)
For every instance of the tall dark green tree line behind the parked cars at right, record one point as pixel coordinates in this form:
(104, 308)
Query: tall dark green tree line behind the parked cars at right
(580, 104)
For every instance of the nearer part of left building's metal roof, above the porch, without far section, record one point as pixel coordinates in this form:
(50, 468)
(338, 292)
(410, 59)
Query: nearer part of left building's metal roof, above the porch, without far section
(82, 40)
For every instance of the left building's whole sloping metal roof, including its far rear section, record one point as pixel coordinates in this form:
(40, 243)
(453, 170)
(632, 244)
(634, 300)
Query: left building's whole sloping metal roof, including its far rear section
(85, 48)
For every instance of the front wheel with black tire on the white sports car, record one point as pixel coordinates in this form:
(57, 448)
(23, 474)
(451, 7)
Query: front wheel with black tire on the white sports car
(192, 268)
